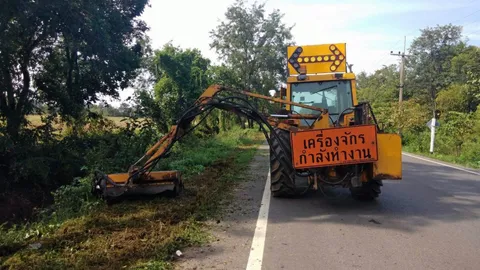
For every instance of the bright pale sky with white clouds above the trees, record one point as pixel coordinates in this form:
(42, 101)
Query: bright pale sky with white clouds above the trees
(370, 28)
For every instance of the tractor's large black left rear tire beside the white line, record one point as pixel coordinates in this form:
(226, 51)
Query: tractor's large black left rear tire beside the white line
(282, 173)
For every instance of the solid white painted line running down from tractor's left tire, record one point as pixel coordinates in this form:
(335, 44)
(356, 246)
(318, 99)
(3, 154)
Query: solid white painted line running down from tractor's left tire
(255, 258)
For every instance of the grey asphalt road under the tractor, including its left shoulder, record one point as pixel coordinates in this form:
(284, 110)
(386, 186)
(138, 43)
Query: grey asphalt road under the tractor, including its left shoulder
(428, 220)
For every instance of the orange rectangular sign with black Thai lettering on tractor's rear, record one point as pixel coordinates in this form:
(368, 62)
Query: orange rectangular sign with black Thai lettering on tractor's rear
(334, 146)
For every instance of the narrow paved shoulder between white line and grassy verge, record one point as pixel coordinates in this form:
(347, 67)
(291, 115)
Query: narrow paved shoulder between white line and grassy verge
(234, 230)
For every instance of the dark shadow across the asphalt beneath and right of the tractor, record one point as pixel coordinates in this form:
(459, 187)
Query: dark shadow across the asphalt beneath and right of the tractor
(426, 194)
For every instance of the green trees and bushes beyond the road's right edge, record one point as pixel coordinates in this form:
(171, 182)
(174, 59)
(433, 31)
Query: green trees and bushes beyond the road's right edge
(443, 73)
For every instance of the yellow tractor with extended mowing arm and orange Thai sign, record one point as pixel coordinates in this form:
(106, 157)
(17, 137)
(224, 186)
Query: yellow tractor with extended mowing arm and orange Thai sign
(321, 133)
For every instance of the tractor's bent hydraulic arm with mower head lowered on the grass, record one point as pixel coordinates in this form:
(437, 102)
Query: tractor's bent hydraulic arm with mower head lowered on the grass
(140, 177)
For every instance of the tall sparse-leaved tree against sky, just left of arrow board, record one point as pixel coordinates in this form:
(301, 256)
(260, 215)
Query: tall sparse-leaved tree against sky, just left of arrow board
(253, 45)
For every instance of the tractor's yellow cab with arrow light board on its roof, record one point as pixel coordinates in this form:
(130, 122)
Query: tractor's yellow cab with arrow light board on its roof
(318, 77)
